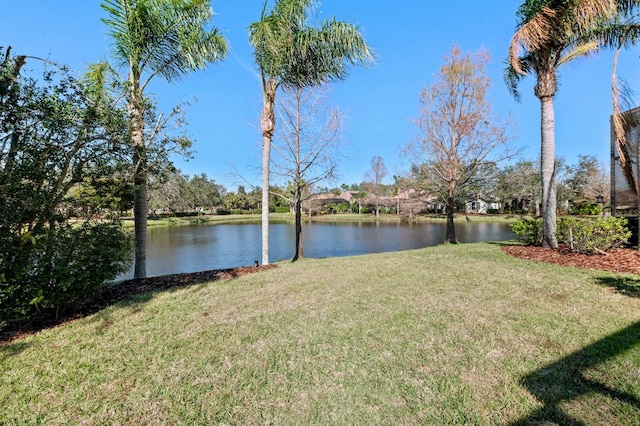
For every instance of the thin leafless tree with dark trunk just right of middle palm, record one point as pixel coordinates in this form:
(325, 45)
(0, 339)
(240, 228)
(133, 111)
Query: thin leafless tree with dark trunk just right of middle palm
(306, 148)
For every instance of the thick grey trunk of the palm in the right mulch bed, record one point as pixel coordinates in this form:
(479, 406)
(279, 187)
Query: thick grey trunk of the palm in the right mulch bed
(548, 173)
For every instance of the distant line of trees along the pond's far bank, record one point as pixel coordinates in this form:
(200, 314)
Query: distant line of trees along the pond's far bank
(512, 188)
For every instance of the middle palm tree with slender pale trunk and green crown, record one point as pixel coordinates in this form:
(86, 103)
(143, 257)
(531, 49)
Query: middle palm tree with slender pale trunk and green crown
(293, 54)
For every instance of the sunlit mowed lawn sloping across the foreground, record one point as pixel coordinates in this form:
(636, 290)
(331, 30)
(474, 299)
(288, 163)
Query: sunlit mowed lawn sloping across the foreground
(457, 334)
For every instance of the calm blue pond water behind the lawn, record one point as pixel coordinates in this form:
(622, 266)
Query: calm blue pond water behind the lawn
(196, 248)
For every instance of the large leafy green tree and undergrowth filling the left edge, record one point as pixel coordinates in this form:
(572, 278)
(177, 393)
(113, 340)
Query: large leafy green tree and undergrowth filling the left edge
(53, 134)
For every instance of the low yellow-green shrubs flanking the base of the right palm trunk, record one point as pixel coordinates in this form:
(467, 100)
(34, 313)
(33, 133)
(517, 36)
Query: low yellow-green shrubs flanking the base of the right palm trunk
(589, 235)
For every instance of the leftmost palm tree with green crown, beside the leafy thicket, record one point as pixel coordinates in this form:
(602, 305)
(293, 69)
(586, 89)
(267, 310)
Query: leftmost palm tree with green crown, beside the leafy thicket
(156, 37)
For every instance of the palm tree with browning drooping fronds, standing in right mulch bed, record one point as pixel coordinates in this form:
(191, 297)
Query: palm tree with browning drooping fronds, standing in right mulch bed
(551, 33)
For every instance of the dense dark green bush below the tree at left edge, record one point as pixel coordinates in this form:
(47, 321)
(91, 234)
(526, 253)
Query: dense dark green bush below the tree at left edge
(46, 274)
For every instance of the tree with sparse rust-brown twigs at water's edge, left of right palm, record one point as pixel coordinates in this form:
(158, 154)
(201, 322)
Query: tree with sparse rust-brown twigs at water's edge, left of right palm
(458, 133)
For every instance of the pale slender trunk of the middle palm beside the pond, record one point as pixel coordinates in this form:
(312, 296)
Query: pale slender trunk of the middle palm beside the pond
(267, 123)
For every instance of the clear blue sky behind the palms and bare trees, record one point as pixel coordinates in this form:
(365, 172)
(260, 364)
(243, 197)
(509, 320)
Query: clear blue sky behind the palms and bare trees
(411, 37)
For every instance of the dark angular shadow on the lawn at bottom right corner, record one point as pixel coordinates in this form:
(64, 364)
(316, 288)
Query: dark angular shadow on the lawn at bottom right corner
(564, 380)
